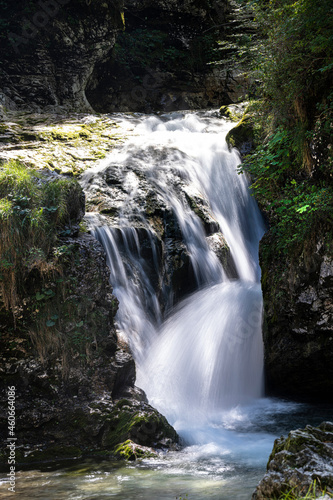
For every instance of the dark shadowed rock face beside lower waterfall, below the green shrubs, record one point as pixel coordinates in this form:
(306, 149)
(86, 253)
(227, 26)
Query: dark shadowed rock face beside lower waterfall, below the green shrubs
(298, 330)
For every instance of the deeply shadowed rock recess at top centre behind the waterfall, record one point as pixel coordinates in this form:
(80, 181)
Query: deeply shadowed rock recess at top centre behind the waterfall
(161, 60)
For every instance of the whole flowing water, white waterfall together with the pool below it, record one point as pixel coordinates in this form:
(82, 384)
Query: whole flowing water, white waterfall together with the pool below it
(200, 361)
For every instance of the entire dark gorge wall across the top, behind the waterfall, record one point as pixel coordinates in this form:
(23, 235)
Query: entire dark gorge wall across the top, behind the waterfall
(115, 56)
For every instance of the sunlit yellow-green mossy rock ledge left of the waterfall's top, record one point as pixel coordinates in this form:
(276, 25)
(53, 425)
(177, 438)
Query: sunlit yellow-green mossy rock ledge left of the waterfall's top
(67, 144)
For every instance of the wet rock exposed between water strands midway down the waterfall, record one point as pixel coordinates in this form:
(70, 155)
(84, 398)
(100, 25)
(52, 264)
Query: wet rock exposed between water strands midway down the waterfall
(151, 216)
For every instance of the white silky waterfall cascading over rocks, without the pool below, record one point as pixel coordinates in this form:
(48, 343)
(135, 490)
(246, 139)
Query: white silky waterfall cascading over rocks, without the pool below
(204, 355)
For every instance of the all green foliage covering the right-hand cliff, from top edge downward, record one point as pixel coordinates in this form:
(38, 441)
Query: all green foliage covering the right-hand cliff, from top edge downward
(291, 169)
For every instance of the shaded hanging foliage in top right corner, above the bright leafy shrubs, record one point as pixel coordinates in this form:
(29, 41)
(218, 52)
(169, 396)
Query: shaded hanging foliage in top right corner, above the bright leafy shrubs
(294, 64)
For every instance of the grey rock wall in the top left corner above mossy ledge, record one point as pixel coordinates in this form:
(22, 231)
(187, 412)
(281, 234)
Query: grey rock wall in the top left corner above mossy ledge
(52, 50)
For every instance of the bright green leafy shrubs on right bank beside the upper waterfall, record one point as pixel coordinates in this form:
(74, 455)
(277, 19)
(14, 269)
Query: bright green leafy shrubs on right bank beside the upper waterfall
(297, 205)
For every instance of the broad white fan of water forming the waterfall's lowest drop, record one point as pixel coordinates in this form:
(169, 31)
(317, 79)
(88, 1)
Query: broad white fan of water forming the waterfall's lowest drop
(208, 355)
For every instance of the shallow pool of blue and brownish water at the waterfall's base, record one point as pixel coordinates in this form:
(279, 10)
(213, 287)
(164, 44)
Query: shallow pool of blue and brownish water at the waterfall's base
(228, 463)
